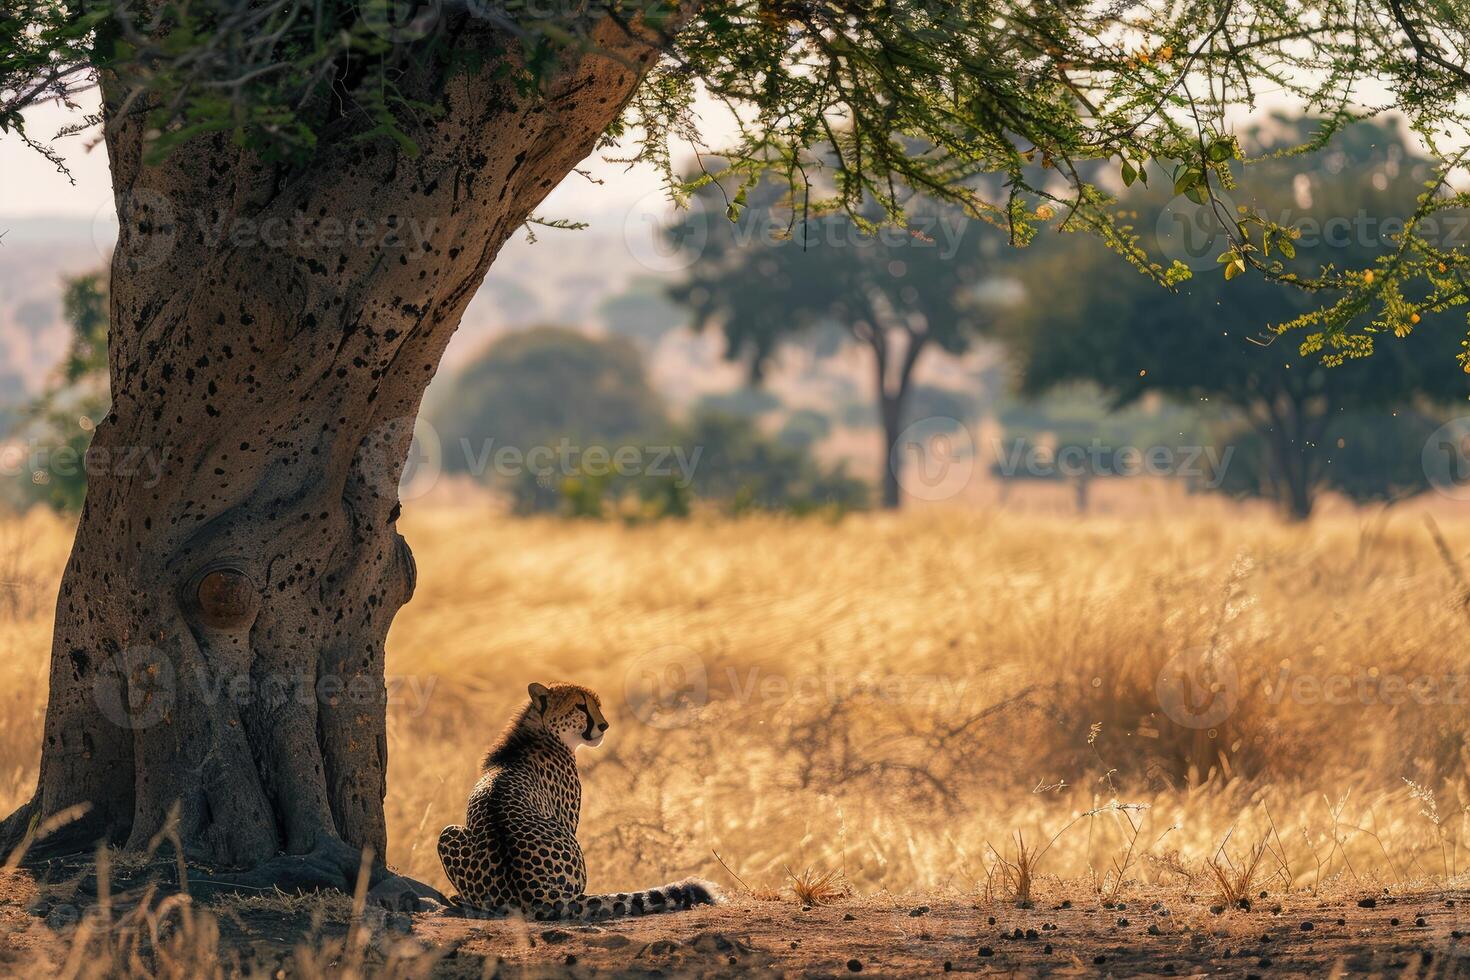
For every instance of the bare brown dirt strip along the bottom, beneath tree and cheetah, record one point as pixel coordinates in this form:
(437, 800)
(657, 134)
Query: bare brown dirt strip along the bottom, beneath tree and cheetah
(1150, 934)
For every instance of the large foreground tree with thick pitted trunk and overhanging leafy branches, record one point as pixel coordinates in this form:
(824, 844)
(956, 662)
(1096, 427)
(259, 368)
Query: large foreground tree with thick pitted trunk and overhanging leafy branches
(309, 195)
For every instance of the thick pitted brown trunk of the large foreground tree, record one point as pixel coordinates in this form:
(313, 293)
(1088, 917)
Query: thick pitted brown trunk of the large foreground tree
(220, 634)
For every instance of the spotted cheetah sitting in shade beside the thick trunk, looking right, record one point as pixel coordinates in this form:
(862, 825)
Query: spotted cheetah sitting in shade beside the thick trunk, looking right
(520, 853)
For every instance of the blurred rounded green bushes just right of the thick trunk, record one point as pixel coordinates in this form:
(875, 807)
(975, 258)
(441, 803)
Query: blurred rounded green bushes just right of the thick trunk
(555, 387)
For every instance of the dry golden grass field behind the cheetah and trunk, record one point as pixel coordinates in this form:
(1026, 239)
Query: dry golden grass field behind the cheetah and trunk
(884, 696)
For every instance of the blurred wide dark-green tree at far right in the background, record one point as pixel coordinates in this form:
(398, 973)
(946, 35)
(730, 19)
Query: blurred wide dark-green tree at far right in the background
(1297, 427)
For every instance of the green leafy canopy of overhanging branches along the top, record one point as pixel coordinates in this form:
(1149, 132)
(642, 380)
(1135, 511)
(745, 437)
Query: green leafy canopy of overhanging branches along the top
(906, 96)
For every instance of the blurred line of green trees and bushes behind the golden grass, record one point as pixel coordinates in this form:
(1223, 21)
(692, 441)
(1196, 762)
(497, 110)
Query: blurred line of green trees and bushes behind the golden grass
(1071, 320)
